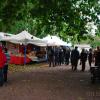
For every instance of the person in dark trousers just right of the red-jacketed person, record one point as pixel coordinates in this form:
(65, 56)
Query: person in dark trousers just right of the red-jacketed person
(5, 69)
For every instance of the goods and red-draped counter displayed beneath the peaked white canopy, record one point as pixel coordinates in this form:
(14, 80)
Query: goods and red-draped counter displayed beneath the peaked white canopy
(33, 53)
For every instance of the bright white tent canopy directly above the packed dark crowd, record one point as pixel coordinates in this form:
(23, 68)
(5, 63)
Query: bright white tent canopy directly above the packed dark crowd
(55, 41)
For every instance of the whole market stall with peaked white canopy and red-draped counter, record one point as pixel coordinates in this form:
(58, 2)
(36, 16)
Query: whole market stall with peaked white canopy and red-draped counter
(20, 47)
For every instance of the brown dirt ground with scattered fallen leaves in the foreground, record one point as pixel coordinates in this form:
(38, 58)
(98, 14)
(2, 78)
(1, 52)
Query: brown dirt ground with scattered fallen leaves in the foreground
(49, 83)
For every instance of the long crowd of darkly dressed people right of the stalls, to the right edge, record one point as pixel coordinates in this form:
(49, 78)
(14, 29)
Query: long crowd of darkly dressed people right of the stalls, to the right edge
(59, 55)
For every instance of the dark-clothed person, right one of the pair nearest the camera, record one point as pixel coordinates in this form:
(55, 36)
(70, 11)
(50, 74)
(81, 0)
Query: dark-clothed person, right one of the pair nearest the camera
(83, 58)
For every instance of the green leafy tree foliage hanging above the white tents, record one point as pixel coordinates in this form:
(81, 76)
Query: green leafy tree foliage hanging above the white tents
(41, 17)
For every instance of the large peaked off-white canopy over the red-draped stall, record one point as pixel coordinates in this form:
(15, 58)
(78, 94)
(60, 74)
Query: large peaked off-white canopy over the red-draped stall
(25, 38)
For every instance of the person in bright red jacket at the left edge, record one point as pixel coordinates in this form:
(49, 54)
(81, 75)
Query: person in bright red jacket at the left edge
(2, 63)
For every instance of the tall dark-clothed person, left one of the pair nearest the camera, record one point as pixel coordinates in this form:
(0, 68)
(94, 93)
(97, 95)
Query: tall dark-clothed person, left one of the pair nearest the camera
(74, 58)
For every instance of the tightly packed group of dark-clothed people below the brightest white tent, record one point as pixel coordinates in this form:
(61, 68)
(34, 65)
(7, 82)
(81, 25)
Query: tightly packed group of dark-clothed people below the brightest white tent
(58, 56)
